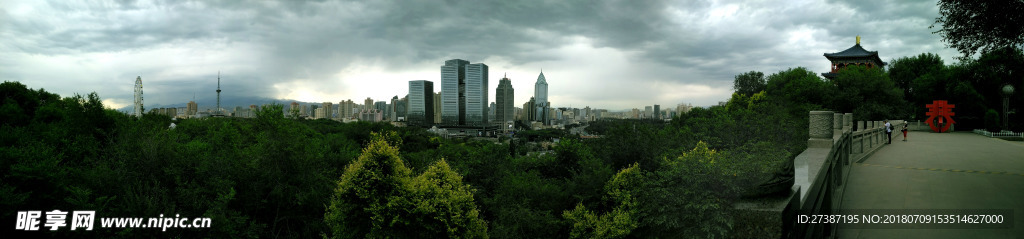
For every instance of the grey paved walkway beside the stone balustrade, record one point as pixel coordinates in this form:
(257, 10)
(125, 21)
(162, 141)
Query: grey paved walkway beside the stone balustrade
(958, 171)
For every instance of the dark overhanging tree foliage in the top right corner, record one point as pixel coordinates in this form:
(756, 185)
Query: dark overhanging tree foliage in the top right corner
(972, 26)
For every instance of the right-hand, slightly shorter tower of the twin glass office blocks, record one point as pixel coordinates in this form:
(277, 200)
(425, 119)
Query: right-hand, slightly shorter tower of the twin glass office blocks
(478, 95)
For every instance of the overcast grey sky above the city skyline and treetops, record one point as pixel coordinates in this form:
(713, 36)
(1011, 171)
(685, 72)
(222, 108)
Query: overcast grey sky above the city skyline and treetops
(607, 55)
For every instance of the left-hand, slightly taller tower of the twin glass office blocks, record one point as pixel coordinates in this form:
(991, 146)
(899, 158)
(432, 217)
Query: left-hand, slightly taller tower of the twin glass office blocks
(454, 92)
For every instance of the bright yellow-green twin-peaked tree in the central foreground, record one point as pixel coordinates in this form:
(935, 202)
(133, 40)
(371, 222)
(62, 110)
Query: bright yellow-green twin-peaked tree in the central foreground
(378, 196)
